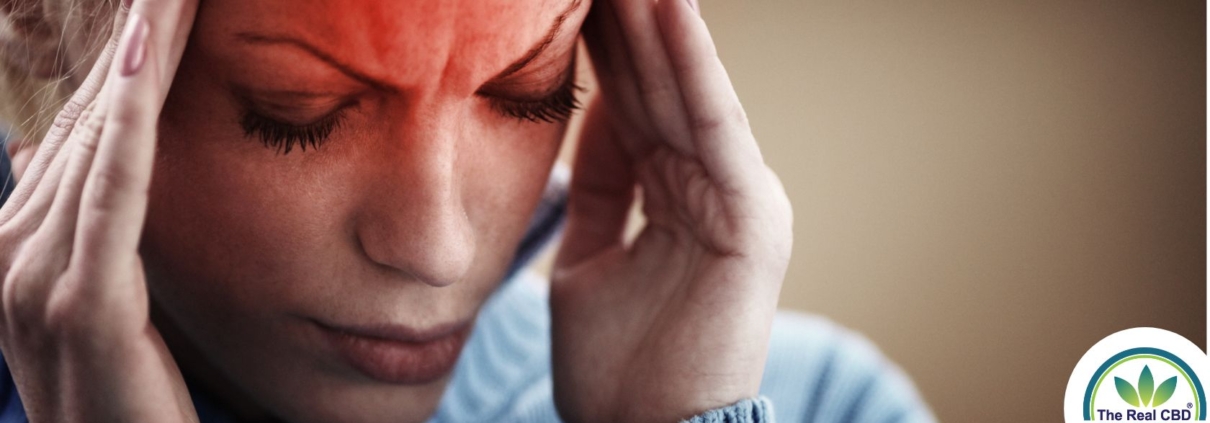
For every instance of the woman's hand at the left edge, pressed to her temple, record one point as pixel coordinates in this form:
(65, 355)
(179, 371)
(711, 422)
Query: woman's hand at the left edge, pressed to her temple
(76, 328)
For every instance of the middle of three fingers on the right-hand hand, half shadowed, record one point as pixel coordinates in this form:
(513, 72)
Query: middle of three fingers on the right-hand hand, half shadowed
(658, 86)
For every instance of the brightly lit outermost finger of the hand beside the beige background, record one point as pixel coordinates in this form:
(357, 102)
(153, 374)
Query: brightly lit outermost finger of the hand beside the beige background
(717, 120)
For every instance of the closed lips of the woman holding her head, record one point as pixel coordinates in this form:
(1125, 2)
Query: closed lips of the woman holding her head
(400, 355)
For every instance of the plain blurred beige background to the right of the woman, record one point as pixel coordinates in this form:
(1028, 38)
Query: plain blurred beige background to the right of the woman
(986, 189)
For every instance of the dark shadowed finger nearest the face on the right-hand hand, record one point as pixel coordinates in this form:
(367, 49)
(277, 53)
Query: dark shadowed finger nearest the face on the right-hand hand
(615, 74)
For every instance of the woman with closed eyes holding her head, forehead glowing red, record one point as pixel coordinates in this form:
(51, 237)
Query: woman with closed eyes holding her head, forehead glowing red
(341, 189)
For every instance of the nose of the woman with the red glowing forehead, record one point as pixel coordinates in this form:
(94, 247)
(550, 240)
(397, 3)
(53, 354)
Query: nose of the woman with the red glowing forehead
(413, 221)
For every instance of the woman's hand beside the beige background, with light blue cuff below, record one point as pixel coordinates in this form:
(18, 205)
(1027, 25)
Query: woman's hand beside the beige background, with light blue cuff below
(678, 322)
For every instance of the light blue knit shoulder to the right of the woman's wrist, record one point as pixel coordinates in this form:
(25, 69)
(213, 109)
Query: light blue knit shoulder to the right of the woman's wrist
(821, 373)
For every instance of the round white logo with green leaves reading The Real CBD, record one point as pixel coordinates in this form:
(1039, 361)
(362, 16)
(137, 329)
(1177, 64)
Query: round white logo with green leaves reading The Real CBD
(1139, 375)
